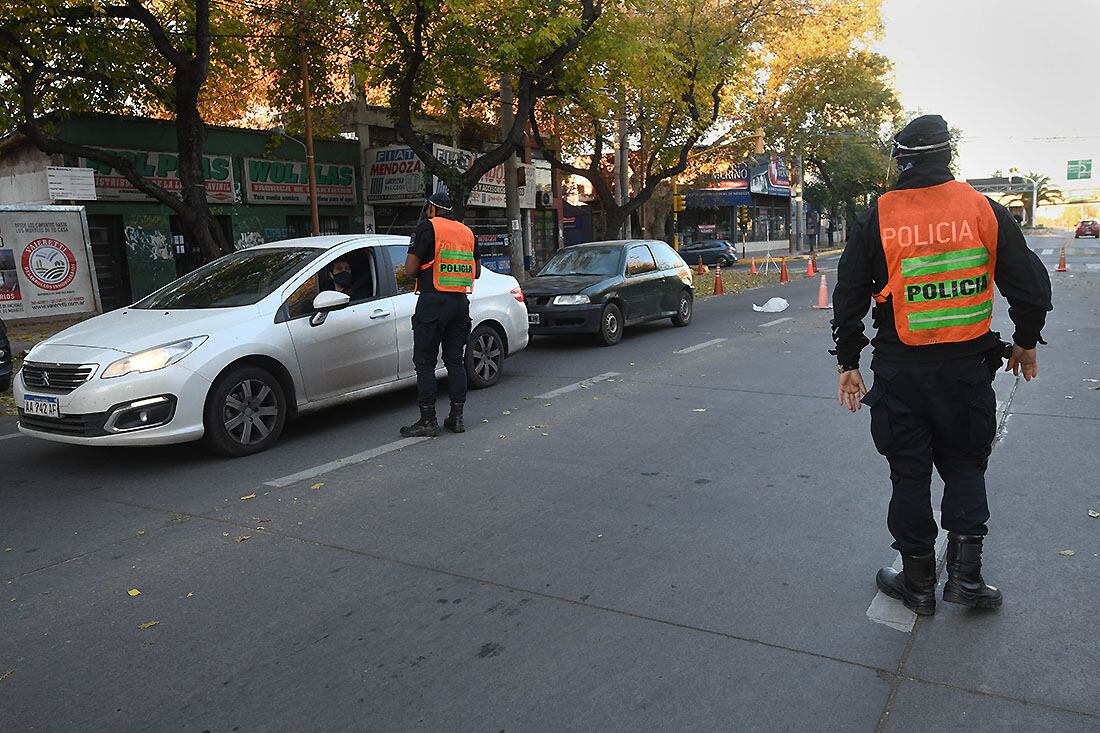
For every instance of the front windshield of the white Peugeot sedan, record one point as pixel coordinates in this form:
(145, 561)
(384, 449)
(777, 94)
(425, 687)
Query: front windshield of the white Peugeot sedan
(236, 280)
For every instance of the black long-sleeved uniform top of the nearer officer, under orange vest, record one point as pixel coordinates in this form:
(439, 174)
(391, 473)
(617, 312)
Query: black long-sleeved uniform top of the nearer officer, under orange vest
(1020, 277)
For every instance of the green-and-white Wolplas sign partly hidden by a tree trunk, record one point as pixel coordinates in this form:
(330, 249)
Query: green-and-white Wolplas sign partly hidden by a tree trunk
(163, 170)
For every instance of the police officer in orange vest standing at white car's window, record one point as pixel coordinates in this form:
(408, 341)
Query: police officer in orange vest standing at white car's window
(445, 259)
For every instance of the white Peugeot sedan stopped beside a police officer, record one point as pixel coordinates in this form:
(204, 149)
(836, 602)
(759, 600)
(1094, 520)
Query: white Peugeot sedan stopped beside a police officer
(230, 352)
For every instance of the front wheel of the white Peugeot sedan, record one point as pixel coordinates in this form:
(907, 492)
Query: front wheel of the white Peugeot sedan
(246, 412)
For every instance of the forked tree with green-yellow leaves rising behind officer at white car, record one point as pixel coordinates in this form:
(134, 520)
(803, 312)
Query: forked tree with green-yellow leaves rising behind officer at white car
(433, 59)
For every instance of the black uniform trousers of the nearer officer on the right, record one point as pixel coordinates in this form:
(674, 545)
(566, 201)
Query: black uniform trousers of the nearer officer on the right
(941, 414)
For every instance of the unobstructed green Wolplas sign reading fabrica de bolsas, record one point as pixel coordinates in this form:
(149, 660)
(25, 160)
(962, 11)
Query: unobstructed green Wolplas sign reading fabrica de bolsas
(288, 182)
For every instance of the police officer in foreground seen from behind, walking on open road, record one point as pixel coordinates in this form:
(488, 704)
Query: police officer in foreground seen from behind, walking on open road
(930, 254)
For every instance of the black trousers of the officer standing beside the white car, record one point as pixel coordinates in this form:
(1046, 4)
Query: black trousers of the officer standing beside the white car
(441, 320)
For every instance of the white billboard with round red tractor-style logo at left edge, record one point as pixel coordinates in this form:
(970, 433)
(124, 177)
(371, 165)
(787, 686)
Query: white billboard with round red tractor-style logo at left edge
(45, 264)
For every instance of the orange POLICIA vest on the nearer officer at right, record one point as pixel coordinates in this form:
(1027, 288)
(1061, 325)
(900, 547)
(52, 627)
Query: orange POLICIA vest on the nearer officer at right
(941, 247)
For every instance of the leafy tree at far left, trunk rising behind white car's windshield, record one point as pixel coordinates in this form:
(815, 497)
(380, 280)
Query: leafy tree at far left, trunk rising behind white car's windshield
(64, 58)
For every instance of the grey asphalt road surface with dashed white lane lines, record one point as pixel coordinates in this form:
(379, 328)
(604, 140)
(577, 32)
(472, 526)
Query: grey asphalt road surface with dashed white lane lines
(687, 541)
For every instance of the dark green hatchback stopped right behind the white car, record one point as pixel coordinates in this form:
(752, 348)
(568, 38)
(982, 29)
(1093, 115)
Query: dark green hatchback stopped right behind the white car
(601, 288)
